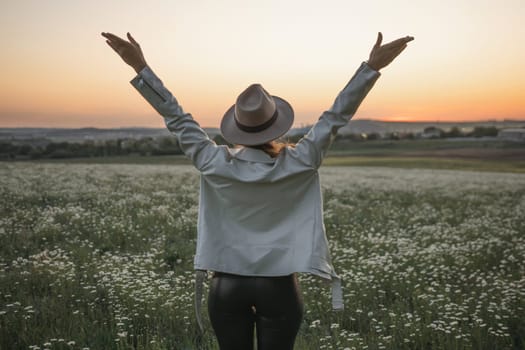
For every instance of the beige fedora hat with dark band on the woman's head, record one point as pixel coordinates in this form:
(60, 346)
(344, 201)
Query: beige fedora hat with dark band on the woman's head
(256, 118)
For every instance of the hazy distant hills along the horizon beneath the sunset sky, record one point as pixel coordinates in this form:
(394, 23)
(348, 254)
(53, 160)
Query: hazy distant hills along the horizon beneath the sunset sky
(358, 126)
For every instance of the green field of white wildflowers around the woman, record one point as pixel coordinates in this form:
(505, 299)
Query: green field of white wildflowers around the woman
(100, 257)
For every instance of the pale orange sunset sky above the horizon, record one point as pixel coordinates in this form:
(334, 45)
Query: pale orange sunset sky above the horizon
(467, 61)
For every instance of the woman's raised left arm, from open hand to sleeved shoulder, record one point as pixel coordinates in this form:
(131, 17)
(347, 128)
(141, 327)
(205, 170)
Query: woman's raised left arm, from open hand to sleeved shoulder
(193, 141)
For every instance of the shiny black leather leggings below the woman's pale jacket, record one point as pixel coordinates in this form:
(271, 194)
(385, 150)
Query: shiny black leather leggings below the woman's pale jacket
(272, 304)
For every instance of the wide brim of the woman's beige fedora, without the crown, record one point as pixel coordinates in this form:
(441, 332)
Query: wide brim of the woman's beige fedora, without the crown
(231, 132)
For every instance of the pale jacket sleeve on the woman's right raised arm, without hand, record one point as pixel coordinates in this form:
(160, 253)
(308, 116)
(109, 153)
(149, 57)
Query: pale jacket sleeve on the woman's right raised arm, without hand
(314, 145)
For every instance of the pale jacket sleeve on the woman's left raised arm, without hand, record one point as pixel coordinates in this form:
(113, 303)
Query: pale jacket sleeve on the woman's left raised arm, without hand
(193, 140)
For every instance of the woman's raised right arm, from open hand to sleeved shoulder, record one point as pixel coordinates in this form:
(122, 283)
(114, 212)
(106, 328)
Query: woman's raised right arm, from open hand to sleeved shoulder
(314, 145)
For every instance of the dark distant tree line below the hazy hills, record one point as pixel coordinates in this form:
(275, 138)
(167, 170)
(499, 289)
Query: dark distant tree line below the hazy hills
(168, 145)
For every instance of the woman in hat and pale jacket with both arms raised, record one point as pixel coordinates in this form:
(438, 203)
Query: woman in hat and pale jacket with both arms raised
(260, 209)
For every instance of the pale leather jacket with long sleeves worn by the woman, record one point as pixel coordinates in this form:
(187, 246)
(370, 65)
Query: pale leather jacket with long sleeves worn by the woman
(258, 215)
